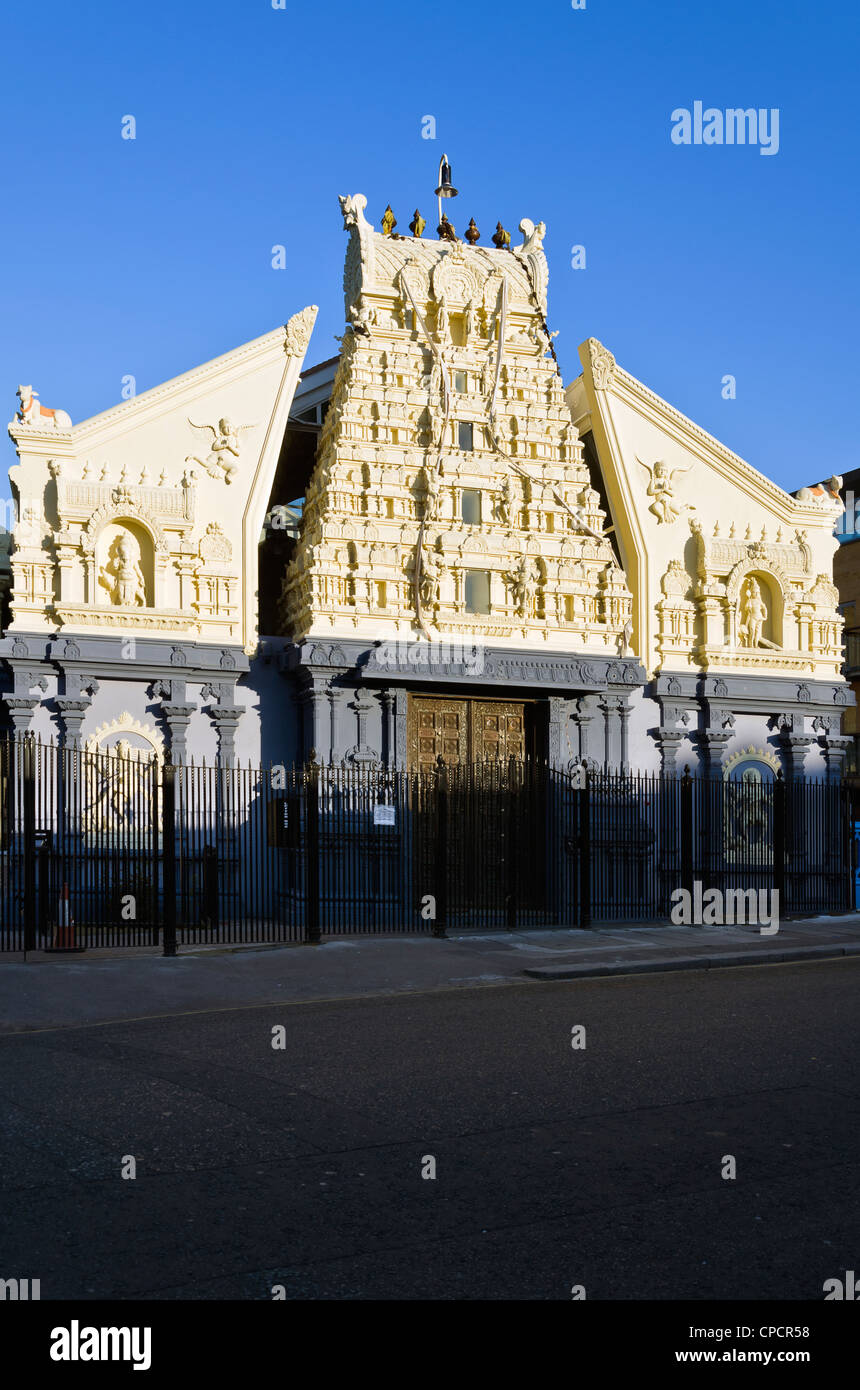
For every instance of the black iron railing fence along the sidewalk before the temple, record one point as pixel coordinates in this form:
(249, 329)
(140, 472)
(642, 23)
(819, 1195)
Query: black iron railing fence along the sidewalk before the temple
(115, 849)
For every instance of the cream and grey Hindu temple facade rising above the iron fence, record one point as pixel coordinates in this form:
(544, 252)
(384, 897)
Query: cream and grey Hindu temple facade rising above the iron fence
(429, 547)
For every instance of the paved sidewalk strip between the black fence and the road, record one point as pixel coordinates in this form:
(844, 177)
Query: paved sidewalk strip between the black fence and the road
(66, 992)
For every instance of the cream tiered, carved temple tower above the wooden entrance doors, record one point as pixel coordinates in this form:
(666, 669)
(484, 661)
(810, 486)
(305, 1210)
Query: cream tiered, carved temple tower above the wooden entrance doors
(451, 498)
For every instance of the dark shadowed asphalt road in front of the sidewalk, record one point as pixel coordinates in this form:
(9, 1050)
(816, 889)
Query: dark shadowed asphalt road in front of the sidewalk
(555, 1167)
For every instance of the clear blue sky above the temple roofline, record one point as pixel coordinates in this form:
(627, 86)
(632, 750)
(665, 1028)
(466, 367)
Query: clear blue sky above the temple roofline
(151, 256)
